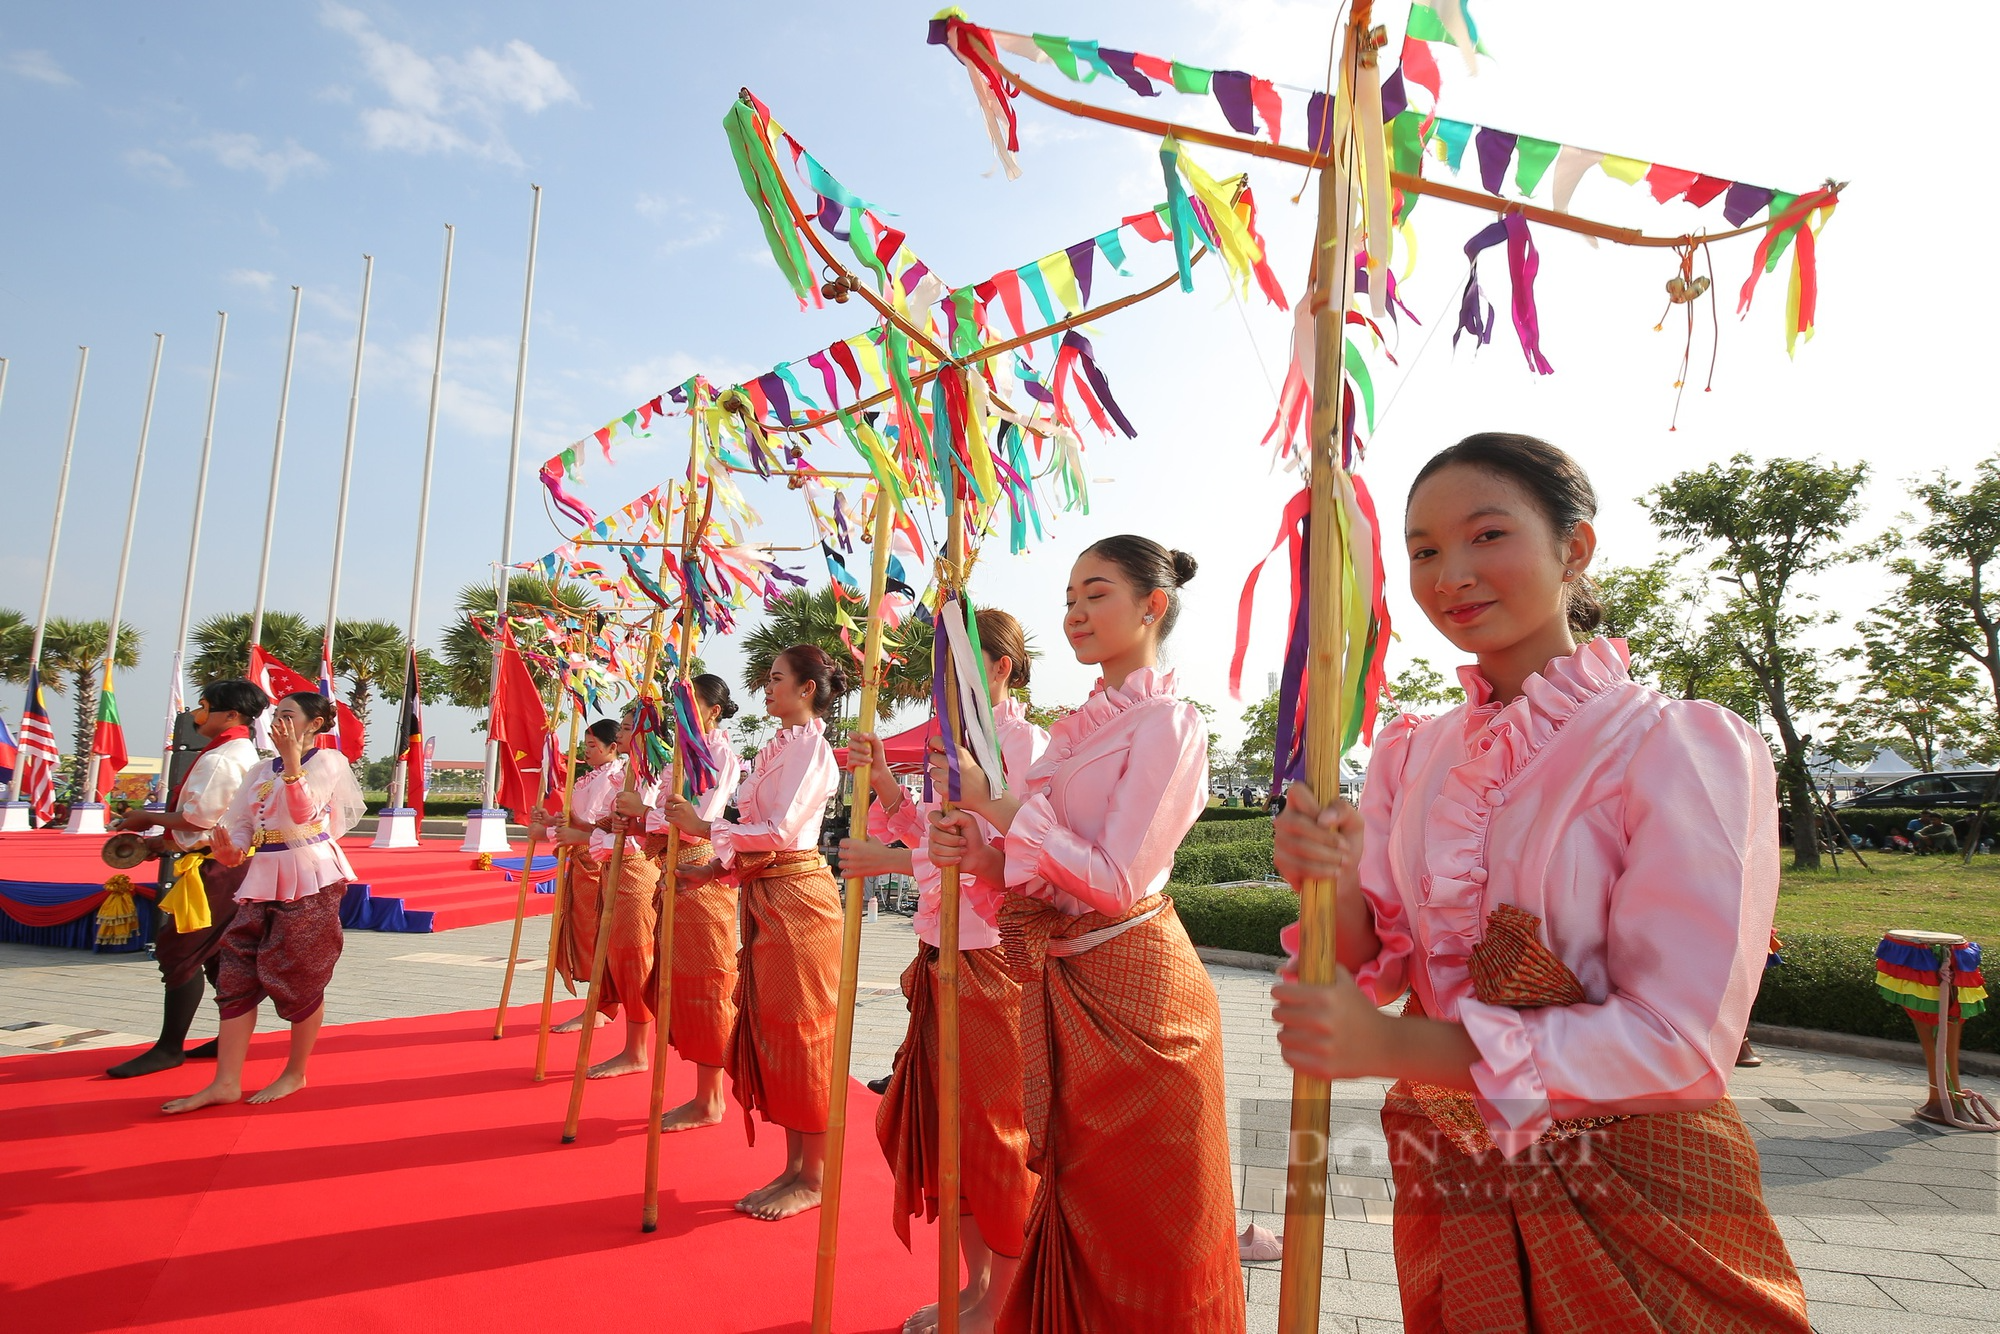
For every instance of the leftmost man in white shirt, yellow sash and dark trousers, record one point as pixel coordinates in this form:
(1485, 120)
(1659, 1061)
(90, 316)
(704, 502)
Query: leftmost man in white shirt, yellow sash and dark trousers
(225, 719)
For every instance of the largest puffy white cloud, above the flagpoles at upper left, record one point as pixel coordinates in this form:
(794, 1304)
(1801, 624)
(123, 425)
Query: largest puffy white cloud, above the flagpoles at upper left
(449, 103)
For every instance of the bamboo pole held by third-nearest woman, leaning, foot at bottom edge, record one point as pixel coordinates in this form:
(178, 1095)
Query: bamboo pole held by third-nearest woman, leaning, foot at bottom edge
(851, 941)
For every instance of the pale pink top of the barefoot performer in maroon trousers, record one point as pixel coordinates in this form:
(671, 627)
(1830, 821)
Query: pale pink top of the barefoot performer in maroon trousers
(301, 825)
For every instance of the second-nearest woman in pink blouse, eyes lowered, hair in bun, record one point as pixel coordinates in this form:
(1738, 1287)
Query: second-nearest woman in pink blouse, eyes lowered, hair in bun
(1135, 1219)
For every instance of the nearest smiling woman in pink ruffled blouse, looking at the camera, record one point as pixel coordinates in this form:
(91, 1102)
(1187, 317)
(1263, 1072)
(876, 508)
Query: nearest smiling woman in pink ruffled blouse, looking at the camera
(1571, 879)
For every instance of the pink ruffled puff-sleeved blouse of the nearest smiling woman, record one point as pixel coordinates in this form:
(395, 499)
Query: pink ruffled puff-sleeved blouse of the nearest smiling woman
(1639, 829)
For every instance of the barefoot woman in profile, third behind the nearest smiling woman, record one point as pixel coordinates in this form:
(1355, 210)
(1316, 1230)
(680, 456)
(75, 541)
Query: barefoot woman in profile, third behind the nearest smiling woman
(789, 965)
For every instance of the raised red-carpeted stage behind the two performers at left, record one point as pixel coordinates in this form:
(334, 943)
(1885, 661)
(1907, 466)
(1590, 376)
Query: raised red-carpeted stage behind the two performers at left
(425, 889)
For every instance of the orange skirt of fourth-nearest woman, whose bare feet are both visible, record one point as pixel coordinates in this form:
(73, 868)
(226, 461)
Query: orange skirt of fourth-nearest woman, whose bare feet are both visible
(781, 1053)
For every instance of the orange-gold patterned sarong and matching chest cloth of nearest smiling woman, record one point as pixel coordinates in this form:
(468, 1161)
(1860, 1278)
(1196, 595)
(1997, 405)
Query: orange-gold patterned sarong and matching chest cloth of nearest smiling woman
(1623, 1223)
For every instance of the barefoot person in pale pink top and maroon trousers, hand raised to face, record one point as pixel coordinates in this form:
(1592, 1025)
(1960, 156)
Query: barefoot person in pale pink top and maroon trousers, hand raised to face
(285, 939)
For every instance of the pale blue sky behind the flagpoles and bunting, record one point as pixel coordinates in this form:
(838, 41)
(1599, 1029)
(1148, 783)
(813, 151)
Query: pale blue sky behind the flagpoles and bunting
(173, 161)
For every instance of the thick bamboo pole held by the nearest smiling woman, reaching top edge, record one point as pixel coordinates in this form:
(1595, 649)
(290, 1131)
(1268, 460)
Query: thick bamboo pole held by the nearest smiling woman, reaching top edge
(1305, 1199)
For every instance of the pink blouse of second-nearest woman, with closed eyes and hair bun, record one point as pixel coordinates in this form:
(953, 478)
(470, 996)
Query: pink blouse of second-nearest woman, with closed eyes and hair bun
(1109, 803)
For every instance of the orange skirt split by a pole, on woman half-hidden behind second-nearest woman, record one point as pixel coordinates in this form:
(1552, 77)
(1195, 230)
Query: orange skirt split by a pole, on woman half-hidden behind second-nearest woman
(993, 1137)
